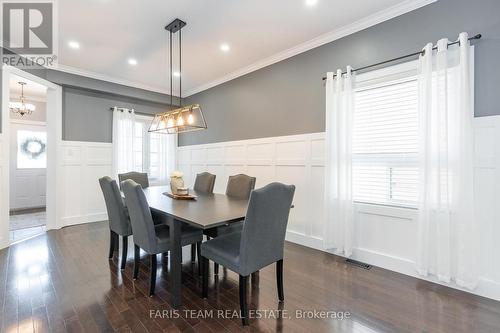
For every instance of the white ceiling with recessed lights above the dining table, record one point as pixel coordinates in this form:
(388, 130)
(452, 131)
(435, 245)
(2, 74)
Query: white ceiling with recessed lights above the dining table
(259, 32)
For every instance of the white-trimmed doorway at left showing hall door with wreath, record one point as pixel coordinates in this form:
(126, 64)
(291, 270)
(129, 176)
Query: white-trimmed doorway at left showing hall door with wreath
(30, 146)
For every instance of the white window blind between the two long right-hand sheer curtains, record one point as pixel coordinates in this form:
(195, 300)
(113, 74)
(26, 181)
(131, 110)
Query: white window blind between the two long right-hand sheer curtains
(385, 144)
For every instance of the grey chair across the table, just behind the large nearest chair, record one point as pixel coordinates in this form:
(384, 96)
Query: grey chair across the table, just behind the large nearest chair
(238, 187)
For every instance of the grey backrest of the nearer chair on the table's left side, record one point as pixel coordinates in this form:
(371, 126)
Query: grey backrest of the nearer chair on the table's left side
(143, 228)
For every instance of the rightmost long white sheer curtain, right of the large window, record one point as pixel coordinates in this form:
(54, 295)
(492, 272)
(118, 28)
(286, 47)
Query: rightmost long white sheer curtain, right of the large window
(447, 231)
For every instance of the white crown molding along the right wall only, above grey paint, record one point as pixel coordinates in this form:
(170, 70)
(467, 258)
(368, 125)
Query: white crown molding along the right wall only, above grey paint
(371, 20)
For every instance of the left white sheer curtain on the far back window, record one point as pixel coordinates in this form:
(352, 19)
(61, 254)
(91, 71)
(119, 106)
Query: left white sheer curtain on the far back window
(123, 141)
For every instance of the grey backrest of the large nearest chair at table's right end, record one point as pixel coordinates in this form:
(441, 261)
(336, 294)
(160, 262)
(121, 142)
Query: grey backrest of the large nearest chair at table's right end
(263, 235)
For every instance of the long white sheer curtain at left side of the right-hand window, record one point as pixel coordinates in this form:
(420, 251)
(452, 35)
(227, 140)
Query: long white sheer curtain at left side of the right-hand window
(338, 195)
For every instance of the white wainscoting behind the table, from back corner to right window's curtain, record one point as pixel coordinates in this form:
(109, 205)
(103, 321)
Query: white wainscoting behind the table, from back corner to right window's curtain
(286, 159)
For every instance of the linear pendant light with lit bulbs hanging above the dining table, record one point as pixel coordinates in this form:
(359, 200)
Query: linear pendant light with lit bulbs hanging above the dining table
(183, 118)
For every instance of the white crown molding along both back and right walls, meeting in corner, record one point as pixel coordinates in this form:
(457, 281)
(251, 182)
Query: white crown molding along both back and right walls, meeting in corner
(364, 23)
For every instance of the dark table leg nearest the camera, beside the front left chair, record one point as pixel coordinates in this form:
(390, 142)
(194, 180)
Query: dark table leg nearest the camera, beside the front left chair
(176, 262)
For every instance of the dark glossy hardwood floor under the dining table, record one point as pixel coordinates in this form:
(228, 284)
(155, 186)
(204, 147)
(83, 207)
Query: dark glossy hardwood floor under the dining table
(62, 281)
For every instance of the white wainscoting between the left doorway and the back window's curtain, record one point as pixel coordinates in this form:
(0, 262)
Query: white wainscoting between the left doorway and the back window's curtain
(83, 163)
